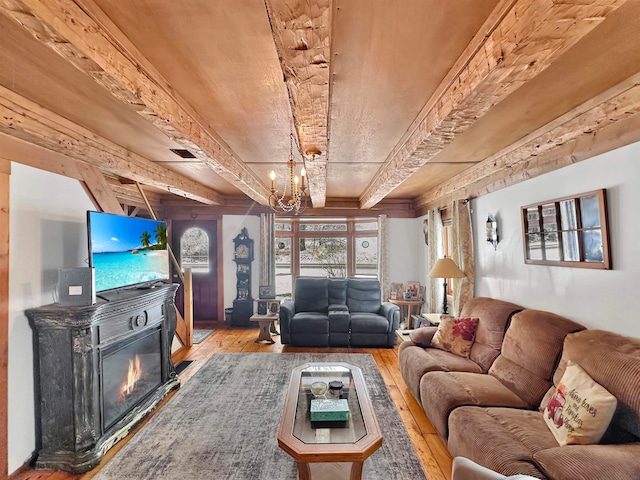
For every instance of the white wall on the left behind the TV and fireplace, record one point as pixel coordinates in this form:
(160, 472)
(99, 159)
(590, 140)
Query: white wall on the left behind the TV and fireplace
(47, 232)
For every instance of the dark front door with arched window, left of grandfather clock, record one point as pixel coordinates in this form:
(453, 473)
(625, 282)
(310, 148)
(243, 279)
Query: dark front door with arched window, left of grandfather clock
(194, 244)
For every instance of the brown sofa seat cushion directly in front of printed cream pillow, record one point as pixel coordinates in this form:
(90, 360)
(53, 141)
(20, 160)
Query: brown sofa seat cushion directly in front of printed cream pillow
(502, 439)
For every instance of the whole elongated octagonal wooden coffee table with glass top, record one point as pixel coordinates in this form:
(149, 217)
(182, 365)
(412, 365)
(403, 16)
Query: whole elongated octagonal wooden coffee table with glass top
(333, 441)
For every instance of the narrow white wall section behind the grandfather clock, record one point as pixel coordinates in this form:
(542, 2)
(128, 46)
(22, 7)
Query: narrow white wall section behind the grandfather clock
(231, 227)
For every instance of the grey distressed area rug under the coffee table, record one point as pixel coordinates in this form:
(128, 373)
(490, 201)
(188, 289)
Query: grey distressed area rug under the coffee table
(223, 424)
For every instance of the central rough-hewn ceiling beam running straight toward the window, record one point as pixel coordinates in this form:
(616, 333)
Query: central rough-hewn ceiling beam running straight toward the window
(302, 35)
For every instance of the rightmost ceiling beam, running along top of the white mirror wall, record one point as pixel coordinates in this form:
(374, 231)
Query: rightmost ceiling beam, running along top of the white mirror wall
(568, 139)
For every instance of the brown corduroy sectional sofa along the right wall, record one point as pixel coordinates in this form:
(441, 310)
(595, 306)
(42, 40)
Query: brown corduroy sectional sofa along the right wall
(495, 418)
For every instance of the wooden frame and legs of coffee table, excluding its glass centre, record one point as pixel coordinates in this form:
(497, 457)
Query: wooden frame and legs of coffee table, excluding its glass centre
(306, 453)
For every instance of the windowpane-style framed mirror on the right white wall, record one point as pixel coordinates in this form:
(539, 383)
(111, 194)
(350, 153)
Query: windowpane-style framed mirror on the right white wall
(568, 232)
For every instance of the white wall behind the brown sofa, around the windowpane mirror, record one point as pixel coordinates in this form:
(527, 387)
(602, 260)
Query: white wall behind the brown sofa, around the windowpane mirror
(604, 299)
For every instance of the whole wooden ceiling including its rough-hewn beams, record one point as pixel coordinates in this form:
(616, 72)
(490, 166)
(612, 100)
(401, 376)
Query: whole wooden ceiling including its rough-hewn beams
(411, 103)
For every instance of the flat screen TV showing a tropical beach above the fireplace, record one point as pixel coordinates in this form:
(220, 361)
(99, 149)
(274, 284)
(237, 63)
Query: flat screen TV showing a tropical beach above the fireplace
(127, 251)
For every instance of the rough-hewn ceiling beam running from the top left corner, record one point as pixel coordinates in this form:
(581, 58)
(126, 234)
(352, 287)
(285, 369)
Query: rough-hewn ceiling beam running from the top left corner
(85, 37)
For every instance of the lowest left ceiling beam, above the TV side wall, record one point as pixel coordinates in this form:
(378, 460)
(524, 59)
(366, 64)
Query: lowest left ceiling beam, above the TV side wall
(27, 121)
